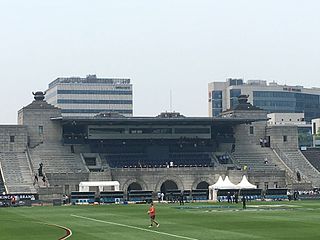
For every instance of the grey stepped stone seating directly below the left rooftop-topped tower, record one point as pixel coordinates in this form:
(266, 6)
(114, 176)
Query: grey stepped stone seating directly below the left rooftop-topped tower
(56, 158)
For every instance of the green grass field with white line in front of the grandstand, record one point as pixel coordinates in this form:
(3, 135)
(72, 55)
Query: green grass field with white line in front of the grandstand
(196, 221)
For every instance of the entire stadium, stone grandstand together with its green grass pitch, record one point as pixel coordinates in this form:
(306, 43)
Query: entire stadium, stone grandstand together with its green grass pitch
(112, 161)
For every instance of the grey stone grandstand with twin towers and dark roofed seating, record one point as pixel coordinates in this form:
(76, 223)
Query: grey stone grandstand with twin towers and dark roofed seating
(169, 152)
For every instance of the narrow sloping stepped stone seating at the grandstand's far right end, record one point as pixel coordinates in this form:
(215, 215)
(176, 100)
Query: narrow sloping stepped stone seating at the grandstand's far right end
(296, 161)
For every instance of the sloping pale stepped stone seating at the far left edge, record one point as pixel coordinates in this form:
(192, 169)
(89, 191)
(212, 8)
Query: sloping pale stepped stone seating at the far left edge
(17, 173)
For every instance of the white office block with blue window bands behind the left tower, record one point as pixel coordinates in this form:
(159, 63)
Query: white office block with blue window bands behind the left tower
(91, 95)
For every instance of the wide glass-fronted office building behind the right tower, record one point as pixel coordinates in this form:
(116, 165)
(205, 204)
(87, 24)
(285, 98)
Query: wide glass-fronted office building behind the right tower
(271, 97)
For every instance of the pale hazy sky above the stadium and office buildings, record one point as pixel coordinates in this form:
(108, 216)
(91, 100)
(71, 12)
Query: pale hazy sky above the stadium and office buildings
(177, 45)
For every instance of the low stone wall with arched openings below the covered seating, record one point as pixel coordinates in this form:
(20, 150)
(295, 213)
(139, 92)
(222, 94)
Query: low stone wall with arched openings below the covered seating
(153, 178)
